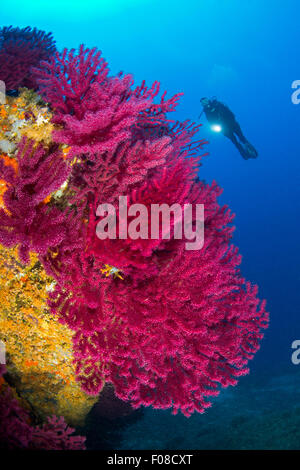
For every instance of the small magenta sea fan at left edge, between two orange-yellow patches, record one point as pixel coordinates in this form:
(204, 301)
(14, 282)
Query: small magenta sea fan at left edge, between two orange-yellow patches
(26, 221)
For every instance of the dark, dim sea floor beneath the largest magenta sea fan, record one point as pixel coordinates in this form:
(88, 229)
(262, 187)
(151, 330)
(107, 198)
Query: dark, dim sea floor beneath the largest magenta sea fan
(262, 412)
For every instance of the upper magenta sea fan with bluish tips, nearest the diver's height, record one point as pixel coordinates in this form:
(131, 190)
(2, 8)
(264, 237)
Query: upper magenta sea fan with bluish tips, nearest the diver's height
(96, 112)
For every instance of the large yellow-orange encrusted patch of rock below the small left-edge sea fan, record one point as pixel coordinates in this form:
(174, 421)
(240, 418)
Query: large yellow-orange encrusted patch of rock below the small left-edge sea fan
(38, 347)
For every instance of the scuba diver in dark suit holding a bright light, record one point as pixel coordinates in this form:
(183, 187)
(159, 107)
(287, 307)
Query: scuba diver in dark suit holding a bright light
(223, 120)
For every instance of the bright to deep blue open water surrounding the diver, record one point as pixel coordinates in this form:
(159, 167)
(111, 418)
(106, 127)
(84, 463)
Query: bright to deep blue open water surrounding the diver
(245, 53)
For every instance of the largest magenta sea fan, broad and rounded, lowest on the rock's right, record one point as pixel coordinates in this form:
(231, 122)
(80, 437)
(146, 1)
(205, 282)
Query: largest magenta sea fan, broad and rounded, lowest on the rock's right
(180, 324)
